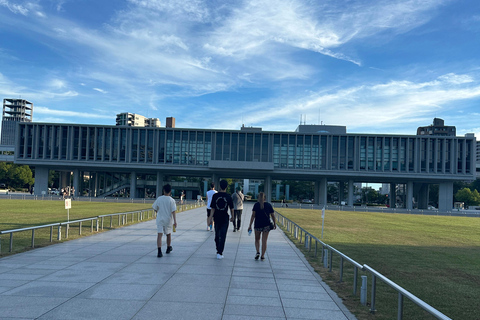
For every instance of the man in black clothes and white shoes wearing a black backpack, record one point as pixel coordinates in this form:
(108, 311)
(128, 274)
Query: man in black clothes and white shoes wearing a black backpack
(221, 202)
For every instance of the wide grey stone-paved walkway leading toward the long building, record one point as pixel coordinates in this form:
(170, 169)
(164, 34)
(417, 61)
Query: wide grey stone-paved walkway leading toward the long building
(116, 275)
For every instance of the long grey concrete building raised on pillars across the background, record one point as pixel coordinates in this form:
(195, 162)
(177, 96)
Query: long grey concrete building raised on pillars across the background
(129, 156)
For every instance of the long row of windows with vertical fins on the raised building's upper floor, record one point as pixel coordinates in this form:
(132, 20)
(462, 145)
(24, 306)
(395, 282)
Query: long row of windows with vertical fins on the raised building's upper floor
(285, 150)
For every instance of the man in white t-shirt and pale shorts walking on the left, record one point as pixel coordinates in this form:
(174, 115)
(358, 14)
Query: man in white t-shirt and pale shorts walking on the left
(165, 208)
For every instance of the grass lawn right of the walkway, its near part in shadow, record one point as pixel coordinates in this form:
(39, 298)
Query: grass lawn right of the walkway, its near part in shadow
(437, 258)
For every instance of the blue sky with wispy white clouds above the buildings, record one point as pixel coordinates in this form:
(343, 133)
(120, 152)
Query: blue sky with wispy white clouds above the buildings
(375, 66)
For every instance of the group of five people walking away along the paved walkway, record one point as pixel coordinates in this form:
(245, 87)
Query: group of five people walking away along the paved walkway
(219, 205)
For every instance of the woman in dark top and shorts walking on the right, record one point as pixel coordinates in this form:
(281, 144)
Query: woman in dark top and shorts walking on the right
(261, 213)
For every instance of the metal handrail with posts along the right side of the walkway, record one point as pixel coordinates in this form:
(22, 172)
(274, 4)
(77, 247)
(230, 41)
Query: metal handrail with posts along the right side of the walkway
(375, 274)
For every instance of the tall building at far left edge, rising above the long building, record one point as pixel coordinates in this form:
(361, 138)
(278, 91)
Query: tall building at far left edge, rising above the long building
(14, 111)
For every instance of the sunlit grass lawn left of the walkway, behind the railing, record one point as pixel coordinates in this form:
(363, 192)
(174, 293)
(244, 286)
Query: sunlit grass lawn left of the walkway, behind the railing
(17, 214)
